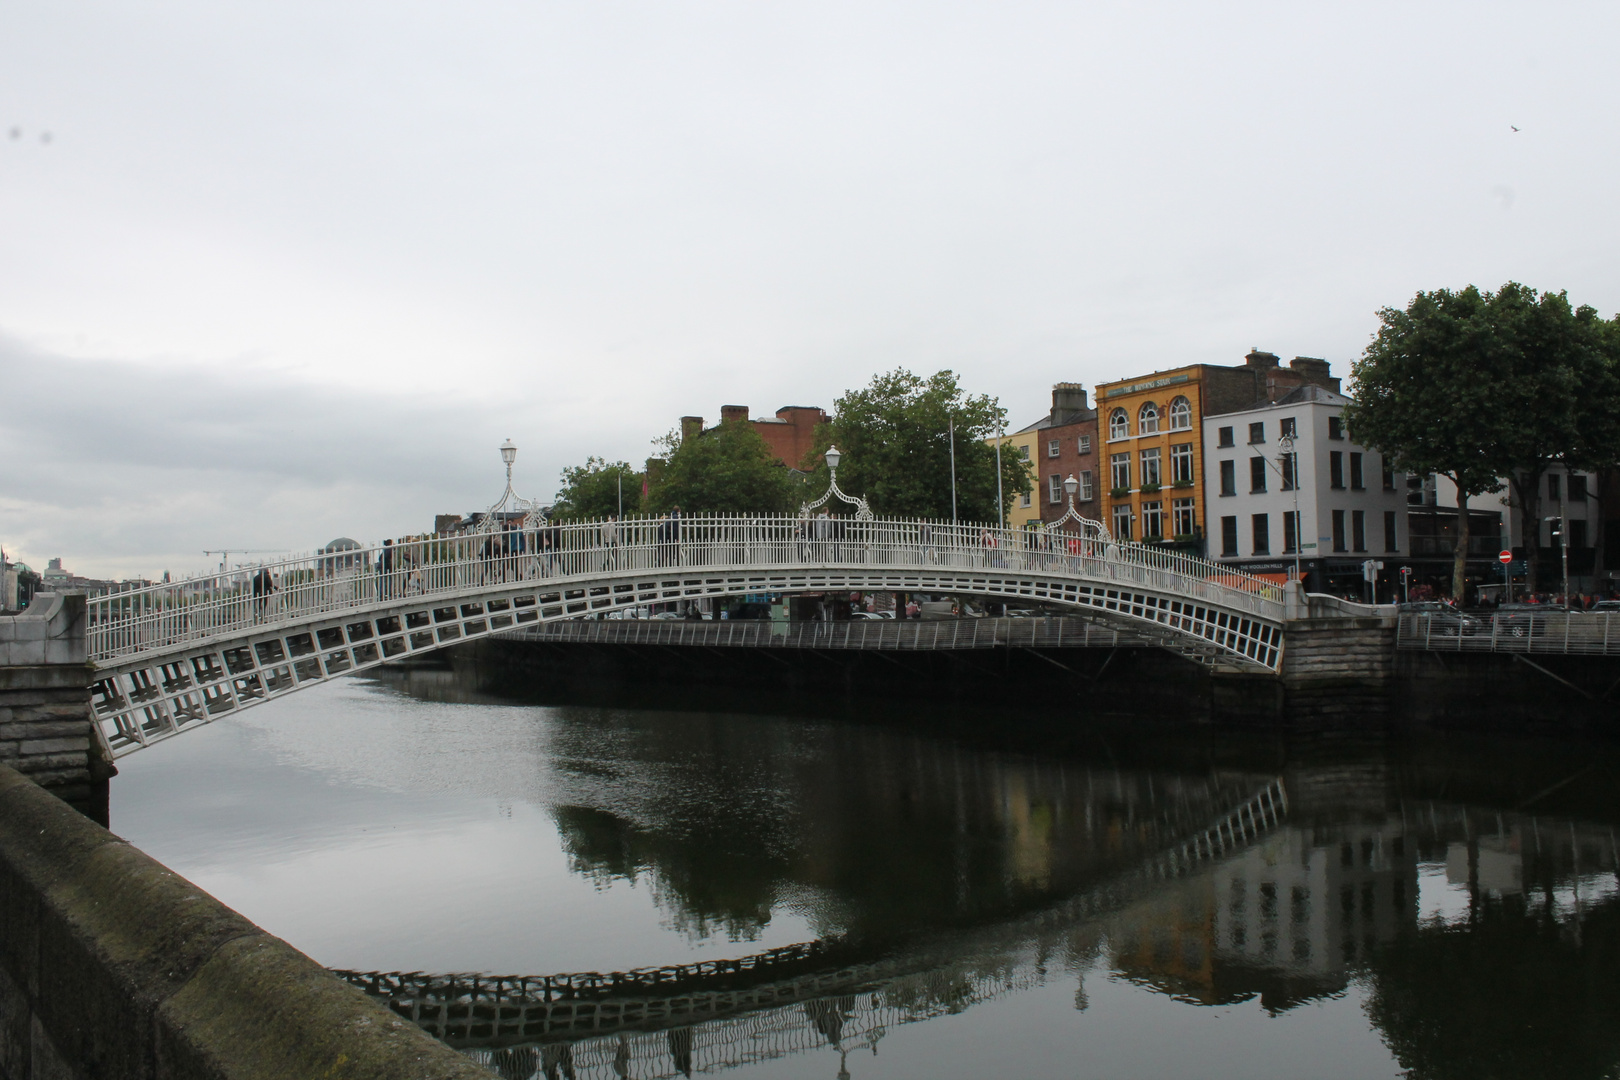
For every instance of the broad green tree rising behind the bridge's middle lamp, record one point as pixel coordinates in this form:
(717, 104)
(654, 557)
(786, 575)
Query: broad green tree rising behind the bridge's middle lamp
(897, 443)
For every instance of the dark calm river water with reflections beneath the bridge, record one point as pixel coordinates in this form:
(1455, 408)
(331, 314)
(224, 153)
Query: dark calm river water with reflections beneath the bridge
(910, 898)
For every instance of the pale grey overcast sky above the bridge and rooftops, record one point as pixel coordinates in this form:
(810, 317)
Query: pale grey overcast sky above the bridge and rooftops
(276, 273)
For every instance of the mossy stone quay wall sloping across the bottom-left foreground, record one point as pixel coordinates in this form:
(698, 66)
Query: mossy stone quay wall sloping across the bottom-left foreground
(114, 966)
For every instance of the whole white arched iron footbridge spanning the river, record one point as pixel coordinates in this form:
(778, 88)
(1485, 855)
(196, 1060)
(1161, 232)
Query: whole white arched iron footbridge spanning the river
(181, 655)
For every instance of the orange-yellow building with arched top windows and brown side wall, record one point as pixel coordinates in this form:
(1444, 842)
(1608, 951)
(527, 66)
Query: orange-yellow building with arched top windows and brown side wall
(1153, 441)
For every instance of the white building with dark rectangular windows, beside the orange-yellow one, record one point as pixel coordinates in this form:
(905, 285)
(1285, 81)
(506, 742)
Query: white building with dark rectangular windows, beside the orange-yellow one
(1350, 511)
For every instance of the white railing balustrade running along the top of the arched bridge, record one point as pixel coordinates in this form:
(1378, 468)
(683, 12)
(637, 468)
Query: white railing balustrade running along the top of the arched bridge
(315, 585)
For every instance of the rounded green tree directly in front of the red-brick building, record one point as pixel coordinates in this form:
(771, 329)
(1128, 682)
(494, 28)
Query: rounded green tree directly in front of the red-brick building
(723, 470)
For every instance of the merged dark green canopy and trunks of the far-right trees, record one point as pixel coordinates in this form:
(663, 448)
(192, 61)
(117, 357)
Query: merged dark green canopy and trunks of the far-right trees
(1480, 386)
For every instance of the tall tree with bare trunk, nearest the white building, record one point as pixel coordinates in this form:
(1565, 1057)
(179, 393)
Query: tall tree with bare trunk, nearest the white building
(1428, 398)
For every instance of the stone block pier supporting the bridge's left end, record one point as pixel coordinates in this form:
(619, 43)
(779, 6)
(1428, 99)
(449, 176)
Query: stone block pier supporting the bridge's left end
(48, 731)
